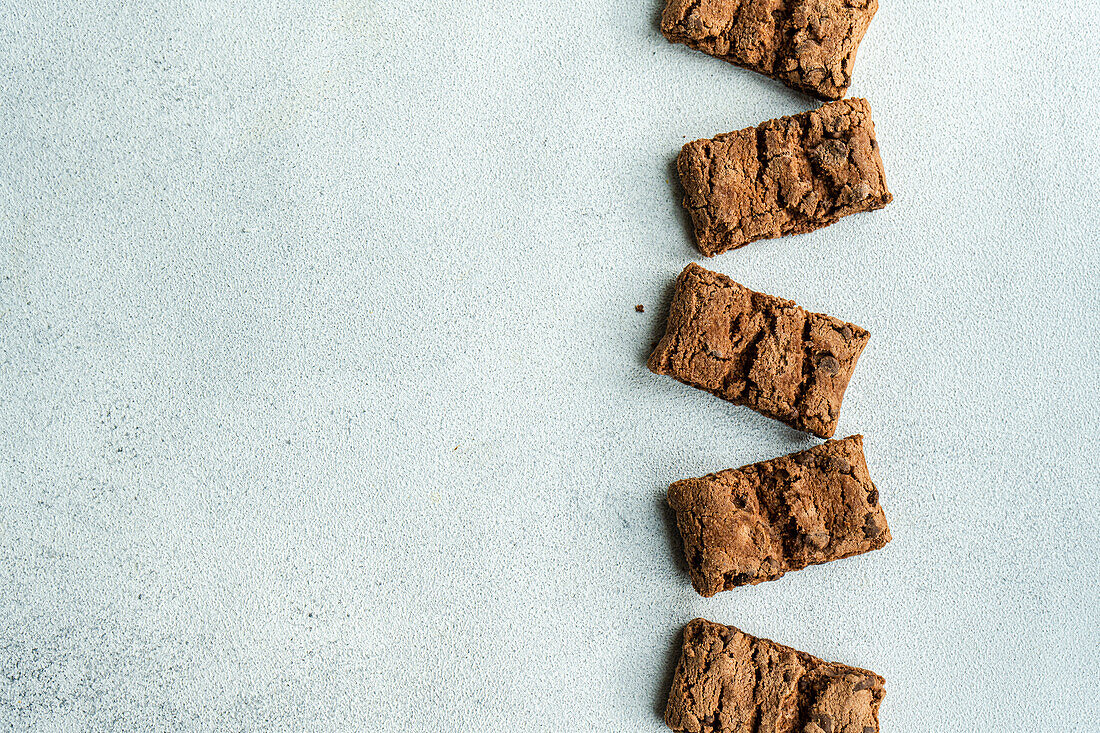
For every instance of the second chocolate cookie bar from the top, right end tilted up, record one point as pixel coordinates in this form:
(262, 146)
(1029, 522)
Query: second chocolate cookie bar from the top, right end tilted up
(786, 177)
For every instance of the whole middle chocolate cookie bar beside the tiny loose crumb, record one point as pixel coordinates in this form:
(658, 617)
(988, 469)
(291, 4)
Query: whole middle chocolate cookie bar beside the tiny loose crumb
(758, 351)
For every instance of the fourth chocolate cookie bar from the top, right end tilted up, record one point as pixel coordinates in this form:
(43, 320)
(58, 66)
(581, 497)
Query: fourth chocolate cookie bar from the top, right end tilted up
(744, 527)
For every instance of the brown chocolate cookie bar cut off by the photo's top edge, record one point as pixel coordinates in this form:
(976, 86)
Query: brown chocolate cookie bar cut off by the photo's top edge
(807, 45)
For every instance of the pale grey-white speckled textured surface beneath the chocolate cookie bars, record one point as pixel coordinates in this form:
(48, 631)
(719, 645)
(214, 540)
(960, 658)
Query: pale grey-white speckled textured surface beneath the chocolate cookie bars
(323, 398)
